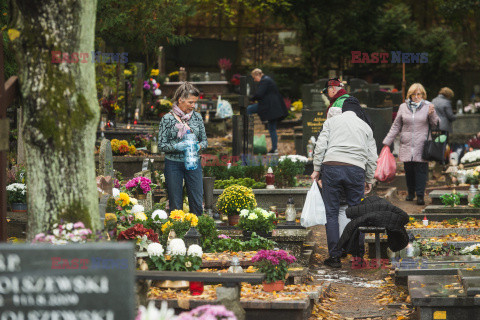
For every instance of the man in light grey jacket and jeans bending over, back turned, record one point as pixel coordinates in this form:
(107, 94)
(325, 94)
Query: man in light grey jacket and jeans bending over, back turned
(345, 158)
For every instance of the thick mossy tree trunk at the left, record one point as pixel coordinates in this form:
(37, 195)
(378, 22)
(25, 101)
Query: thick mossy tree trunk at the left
(61, 111)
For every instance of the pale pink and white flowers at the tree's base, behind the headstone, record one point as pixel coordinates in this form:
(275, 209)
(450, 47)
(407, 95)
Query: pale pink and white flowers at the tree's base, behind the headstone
(65, 233)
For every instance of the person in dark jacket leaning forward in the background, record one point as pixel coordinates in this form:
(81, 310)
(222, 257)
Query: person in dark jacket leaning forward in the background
(270, 106)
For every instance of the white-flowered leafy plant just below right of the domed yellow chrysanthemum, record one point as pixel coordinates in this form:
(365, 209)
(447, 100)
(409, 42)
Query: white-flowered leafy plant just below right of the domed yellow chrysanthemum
(257, 220)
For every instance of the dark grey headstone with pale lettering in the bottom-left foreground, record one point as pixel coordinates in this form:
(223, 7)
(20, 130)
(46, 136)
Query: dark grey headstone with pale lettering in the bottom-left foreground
(88, 281)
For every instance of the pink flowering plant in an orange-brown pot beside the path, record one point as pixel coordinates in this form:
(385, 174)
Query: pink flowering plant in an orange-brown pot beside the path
(274, 263)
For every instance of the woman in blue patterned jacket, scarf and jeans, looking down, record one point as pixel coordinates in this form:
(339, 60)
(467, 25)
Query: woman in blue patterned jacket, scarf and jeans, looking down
(173, 126)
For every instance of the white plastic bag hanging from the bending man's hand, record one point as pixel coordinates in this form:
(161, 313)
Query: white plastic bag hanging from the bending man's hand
(313, 212)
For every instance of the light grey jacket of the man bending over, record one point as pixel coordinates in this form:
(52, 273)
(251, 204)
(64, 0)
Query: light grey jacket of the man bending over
(346, 138)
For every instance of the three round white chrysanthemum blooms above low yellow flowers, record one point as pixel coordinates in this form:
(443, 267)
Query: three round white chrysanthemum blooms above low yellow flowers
(177, 257)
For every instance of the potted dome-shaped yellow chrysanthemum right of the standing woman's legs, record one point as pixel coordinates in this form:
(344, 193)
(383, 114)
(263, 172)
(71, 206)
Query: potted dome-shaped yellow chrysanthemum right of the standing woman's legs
(234, 199)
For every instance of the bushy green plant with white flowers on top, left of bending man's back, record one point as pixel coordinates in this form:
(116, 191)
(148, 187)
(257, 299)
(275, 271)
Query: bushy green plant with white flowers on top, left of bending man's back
(288, 167)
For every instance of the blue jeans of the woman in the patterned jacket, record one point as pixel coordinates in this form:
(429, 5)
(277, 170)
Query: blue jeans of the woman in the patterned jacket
(175, 173)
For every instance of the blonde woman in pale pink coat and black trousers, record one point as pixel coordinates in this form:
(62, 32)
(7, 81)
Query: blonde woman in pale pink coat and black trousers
(412, 123)
